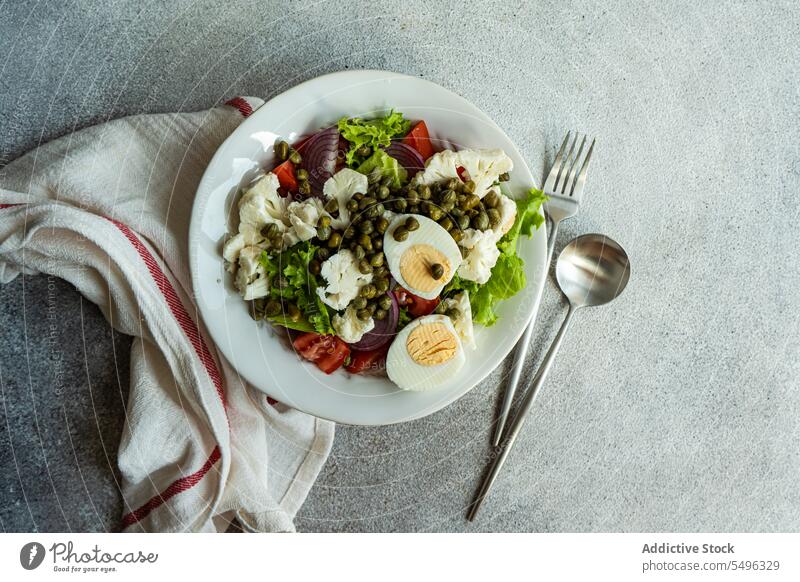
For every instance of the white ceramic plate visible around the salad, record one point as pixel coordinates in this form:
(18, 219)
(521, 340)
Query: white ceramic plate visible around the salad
(254, 349)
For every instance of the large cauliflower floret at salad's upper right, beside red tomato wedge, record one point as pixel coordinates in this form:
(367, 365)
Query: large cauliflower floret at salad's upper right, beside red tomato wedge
(483, 167)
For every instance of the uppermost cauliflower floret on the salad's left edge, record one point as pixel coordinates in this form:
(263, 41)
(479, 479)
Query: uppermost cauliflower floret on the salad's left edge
(259, 206)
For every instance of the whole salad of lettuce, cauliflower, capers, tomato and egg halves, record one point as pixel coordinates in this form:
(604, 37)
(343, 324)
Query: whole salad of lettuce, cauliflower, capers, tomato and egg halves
(380, 251)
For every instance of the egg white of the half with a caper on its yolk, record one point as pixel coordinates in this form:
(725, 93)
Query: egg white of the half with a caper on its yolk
(429, 233)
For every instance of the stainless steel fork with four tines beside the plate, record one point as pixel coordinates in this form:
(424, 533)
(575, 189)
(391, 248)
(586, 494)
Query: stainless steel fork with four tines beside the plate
(564, 190)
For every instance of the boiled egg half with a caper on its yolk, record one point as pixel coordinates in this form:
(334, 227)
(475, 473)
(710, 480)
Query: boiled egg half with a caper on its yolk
(426, 260)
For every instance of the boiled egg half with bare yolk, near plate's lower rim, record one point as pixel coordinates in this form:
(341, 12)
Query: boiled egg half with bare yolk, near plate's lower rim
(425, 354)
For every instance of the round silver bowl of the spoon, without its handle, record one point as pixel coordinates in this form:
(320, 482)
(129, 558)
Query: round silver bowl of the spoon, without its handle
(592, 270)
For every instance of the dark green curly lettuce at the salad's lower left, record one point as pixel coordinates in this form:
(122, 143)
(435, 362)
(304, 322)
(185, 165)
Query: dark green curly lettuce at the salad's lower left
(299, 286)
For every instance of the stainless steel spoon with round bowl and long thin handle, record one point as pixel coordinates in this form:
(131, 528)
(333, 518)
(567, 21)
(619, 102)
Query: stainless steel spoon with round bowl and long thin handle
(591, 270)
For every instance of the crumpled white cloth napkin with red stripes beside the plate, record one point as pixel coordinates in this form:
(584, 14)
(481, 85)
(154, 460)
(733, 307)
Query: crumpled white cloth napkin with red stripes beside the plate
(107, 209)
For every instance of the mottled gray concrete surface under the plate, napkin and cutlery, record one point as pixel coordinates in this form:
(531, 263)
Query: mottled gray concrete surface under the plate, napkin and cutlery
(676, 408)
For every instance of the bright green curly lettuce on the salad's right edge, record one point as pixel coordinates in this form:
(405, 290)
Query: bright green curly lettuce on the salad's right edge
(508, 274)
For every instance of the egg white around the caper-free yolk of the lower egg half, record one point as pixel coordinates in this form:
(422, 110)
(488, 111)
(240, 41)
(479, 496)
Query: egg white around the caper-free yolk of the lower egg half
(408, 374)
